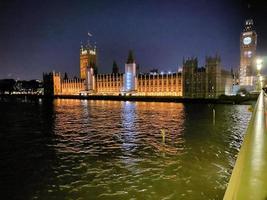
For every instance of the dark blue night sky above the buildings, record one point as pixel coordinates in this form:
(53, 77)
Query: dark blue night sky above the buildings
(41, 36)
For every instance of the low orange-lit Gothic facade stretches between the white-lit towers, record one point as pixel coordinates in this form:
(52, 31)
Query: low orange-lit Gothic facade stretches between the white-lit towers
(112, 84)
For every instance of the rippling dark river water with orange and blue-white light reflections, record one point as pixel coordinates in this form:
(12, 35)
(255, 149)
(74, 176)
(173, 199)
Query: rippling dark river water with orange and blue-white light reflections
(72, 149)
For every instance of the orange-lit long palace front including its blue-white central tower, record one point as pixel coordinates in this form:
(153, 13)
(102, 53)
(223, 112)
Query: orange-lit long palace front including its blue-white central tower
(129, 83)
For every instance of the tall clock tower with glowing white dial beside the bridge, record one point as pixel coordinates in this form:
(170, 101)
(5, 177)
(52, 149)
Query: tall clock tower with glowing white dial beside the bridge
(248, 44)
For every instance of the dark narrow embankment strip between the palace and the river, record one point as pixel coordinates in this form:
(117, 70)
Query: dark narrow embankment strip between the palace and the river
(220, 100)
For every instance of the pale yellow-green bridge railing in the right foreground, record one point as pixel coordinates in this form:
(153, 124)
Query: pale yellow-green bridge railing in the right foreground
(249, 176)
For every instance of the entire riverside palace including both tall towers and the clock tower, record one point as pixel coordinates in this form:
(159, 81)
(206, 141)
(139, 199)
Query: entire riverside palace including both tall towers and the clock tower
(209, 81)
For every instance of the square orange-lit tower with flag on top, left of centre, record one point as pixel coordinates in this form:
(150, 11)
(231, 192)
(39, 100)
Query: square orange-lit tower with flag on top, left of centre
(87, 59)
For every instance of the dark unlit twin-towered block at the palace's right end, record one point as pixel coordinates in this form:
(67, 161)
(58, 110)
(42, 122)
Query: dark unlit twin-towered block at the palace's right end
(210, 81)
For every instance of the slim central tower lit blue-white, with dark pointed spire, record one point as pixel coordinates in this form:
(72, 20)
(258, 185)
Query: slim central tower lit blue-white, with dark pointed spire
(130, 74)
